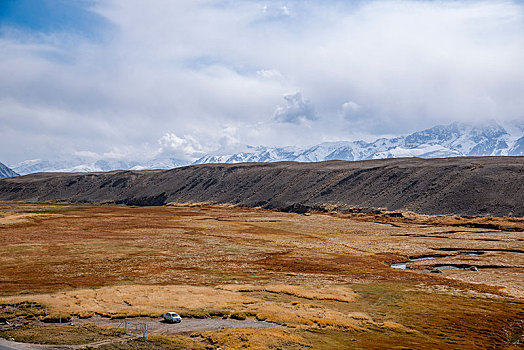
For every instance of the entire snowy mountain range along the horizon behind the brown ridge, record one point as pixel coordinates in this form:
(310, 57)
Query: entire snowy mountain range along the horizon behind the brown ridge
(453, 140)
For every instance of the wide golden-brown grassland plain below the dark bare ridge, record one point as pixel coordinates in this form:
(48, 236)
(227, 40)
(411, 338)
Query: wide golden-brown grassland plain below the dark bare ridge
(324, 278)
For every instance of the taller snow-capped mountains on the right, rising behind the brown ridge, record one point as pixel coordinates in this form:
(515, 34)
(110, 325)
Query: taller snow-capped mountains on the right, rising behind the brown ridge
(457, 139)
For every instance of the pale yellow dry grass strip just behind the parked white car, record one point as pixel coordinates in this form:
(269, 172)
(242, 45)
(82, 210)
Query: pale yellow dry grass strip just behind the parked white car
(134, 300)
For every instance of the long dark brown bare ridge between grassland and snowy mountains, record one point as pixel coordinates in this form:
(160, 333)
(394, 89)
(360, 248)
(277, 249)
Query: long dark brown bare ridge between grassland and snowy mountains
(464, 186)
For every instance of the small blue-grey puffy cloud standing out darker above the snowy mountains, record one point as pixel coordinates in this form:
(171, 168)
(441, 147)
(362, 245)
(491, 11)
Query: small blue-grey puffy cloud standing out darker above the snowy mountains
(296, 110)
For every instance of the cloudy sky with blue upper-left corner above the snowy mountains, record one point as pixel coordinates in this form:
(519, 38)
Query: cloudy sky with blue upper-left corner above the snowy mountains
(136, 79)
